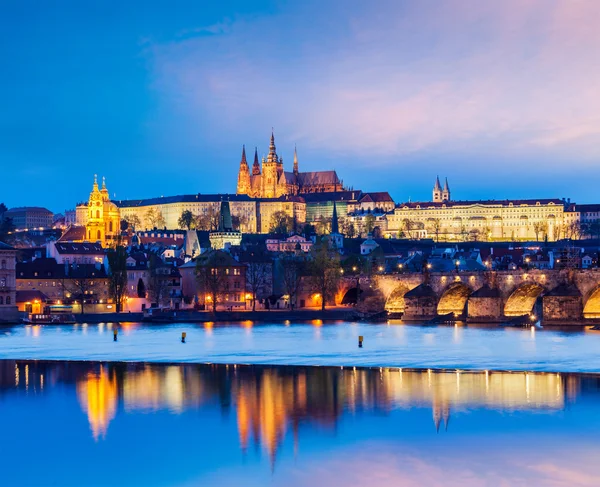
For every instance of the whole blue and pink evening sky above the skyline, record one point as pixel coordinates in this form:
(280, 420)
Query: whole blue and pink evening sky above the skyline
(158, 97)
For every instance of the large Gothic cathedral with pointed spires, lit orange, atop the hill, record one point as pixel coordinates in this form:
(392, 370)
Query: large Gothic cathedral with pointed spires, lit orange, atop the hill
(269, 180)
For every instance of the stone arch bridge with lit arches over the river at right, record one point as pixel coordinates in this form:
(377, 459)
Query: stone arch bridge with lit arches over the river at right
(554, 296)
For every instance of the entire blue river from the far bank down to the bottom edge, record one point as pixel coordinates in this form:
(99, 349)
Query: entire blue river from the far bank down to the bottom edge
(342, 416)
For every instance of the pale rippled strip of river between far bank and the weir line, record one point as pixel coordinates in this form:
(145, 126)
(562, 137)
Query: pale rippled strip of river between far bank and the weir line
(314, 343)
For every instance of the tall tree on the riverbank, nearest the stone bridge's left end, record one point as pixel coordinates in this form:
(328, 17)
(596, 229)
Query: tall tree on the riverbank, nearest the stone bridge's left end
(324, 271)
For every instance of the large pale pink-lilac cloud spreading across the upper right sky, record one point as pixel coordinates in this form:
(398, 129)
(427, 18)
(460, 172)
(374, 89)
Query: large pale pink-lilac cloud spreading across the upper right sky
(513, 76)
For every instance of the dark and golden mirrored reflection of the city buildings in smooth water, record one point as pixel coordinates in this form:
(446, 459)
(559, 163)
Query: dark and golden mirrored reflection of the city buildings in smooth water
(271, 403)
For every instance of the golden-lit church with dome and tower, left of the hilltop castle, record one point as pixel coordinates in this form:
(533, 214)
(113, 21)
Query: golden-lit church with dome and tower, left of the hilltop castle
(103, 222)
